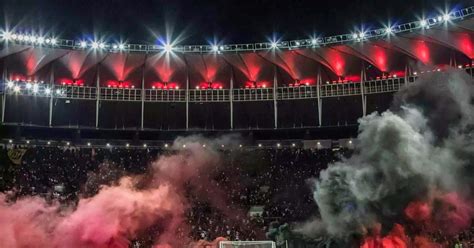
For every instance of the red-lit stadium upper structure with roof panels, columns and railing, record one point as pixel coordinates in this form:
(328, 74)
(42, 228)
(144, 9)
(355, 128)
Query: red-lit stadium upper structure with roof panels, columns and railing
(305, 84)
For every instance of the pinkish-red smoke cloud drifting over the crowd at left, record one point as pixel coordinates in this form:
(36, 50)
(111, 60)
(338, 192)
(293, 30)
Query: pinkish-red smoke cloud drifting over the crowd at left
(118, 214)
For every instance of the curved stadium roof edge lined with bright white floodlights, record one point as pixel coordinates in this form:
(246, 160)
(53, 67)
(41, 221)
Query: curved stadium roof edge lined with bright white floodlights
(364, 35)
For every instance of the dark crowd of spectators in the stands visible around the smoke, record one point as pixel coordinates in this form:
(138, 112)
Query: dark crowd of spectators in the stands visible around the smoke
(275, 182)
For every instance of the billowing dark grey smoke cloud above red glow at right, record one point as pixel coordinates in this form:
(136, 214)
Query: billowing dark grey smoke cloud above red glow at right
(422, 146)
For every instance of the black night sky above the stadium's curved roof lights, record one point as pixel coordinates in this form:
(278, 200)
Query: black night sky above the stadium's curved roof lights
(204, 21)
